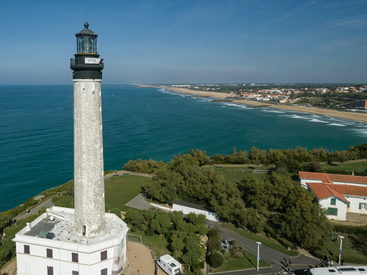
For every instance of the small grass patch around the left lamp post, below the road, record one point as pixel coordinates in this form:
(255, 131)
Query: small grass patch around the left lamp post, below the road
(246, 262)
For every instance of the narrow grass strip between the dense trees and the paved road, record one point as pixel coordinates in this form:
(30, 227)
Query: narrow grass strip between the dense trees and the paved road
(261, 238)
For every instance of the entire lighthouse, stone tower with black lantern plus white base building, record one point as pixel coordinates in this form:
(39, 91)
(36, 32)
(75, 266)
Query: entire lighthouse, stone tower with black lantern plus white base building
(84, 240)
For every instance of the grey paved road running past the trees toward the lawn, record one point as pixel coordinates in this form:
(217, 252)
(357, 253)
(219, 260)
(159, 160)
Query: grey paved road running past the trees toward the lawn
(275, 258)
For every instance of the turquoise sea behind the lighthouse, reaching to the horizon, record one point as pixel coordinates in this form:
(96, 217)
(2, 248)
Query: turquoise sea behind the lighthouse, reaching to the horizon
(36, 125)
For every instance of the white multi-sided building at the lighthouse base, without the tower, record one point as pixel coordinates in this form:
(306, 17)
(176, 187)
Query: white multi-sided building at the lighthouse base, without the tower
(50, 246)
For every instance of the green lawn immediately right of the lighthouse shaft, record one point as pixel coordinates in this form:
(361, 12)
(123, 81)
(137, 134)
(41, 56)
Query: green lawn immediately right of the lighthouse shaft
(120, 190)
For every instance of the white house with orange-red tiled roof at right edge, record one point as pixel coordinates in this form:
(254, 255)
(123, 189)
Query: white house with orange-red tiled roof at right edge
(338, 194)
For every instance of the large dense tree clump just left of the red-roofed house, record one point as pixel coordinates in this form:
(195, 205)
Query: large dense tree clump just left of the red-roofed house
(290, 208)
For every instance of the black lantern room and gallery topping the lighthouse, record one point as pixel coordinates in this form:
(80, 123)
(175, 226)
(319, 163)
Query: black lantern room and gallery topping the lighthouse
(86, 64)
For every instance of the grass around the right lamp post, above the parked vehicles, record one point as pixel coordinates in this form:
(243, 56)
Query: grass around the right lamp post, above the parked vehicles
(350, 253)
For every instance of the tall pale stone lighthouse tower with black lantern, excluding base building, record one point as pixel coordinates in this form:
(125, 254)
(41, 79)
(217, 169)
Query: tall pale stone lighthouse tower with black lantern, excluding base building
(89, 201)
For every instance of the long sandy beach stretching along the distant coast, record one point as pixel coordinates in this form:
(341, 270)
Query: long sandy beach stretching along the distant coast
(354, 116)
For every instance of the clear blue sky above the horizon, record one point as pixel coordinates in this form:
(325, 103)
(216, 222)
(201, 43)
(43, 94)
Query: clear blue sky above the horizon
(188, 41)
